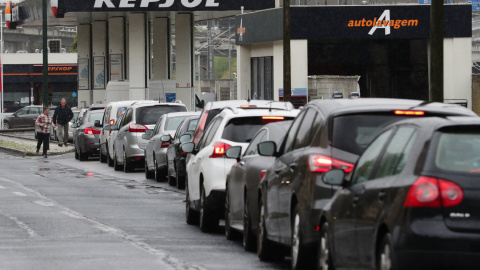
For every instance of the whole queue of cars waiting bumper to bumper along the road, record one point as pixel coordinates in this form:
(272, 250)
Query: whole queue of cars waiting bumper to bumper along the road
(341, 183)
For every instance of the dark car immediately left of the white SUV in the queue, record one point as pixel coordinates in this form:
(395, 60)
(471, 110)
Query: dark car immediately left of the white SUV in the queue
(175, 156)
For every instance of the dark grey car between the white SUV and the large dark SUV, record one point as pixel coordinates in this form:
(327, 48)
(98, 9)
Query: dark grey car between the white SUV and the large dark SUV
(241, 207)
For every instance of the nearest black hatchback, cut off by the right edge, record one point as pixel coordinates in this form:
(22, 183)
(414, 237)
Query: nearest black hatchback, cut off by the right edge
(412, 201)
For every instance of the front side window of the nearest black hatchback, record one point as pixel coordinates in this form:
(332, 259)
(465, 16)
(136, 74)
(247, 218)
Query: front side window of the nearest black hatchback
(368, 159)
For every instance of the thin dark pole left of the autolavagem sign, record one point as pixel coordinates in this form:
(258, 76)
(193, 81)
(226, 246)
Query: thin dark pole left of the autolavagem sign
(287, 76)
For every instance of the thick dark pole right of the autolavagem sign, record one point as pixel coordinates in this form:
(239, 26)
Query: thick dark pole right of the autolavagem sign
(437, 25)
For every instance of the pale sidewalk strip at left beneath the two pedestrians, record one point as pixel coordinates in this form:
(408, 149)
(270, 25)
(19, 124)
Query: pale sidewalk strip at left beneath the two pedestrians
(27, 147)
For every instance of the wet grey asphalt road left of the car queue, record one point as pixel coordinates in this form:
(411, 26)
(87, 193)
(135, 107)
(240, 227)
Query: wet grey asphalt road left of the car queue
(60, 213)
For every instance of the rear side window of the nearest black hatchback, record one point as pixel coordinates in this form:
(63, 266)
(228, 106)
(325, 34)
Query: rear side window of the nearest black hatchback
(395, 152)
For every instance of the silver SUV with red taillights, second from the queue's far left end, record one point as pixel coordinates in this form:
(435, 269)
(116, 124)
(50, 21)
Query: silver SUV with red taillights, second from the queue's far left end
(137, 119)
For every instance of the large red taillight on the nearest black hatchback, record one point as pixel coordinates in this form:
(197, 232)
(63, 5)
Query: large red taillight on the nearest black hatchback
(433, 192)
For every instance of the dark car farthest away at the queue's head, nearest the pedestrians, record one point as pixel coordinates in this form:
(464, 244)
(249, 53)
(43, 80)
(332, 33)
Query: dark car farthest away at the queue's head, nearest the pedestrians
(87, 141)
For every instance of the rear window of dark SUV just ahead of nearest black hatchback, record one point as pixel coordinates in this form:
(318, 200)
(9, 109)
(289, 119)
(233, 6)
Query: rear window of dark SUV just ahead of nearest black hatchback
(352, 133)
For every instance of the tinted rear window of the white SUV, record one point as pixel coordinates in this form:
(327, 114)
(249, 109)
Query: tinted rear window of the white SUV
(243, 129)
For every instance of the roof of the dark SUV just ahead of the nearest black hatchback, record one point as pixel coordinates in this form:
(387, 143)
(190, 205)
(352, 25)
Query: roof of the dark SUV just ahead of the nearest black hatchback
(346, 106)
